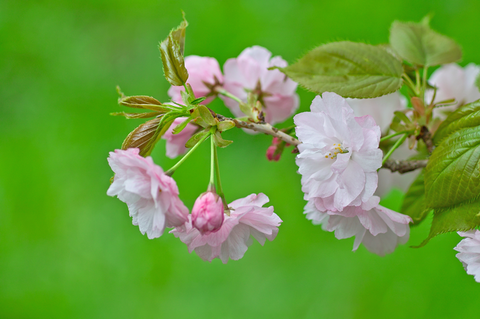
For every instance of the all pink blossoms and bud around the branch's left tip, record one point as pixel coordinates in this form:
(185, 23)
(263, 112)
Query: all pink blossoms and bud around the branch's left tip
(213, 229)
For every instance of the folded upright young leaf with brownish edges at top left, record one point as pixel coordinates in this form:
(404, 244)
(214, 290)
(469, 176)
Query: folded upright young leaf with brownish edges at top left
(171, 50)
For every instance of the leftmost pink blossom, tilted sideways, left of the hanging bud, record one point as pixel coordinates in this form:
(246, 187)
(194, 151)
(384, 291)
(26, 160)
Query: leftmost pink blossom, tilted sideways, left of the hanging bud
(151, 196)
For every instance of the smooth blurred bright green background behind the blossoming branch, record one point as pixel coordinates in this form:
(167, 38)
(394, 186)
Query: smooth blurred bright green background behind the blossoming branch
(67, 250)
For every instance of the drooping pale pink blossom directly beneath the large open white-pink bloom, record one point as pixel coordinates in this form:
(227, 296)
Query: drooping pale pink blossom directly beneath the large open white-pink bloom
(380, 229)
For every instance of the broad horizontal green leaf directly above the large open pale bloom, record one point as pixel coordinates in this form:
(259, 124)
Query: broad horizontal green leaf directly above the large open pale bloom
(350, 69)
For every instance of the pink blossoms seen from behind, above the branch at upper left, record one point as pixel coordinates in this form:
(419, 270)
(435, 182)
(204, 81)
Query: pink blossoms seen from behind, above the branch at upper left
(243, 75)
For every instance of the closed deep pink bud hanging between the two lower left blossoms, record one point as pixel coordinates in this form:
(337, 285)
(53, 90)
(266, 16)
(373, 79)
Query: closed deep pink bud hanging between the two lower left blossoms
(207, 213)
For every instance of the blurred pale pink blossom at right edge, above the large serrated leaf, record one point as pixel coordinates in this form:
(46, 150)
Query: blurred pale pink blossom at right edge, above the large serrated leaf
(453, 81)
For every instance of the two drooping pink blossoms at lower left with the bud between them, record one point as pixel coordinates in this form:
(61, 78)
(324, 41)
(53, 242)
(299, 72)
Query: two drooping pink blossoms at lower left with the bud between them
(153, 202)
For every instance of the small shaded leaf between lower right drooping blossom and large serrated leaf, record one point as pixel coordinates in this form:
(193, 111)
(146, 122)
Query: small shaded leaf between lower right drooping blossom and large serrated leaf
(414, 202)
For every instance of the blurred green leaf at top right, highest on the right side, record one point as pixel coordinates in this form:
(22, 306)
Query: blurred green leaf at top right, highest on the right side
(418, 44)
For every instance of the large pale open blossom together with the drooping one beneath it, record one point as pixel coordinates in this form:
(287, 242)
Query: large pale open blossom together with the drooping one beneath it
(339, 158)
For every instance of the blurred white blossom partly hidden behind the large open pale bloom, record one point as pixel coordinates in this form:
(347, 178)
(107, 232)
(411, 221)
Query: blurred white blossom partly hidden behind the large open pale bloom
(381, 109)
